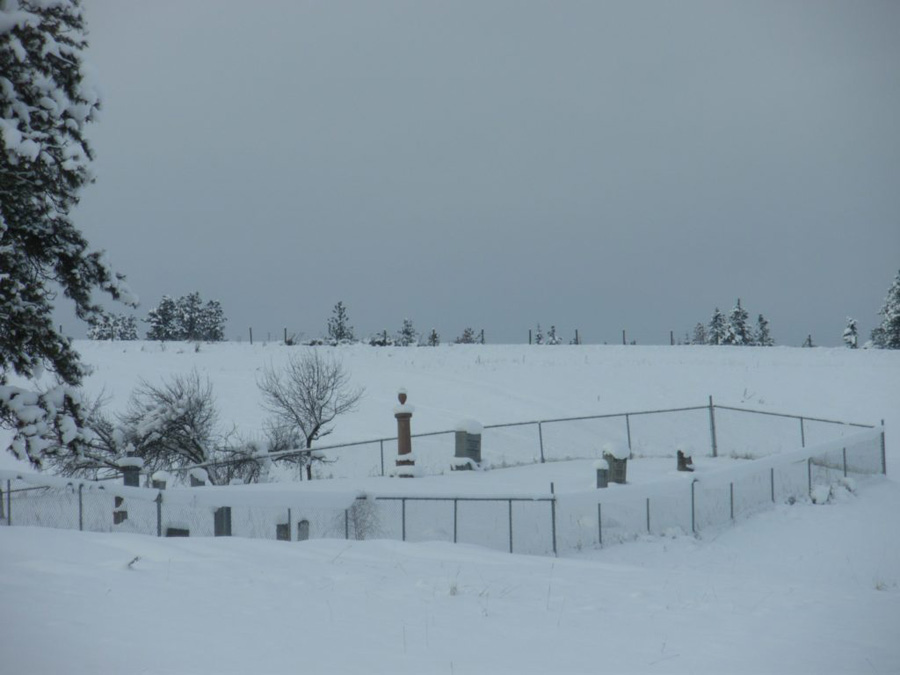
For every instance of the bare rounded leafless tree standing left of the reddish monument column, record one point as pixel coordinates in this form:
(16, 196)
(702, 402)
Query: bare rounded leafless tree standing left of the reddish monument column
(308, 395)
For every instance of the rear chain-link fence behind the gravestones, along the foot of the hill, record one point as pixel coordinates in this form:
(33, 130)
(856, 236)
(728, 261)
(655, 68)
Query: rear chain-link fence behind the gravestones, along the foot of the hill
(579, 439)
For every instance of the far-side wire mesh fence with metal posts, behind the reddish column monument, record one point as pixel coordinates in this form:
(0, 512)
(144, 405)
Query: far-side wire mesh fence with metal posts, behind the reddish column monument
(711, 429)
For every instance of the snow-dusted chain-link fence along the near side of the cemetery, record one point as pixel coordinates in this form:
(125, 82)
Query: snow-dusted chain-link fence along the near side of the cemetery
(537, 524)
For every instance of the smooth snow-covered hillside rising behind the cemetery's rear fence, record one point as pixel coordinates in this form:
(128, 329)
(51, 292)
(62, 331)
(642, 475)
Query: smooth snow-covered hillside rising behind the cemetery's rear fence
(508, 383)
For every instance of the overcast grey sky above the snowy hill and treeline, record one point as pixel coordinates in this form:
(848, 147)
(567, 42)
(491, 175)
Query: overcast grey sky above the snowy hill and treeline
(594, 165)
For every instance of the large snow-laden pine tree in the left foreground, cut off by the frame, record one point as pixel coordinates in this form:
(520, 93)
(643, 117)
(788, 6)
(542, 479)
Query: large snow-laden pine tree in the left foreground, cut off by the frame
(45, 104)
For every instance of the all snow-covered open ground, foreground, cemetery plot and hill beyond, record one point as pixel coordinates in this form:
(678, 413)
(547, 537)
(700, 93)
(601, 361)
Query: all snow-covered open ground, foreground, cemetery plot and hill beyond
(801, 588)
